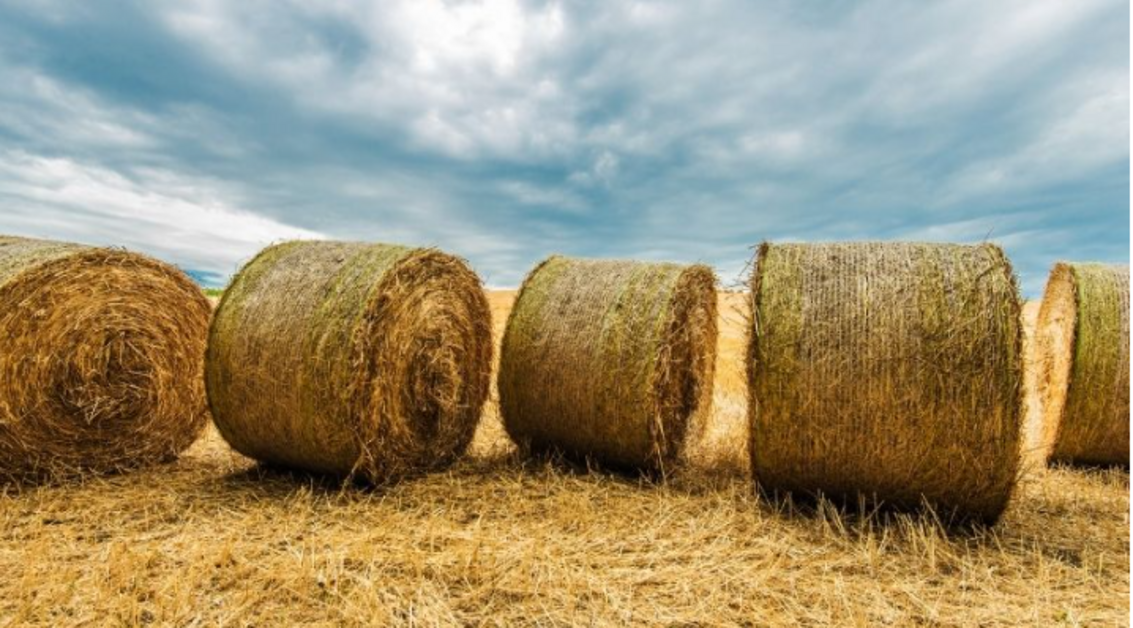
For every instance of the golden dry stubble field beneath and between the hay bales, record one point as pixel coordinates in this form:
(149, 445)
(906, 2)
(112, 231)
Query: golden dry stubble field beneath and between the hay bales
(216, 540)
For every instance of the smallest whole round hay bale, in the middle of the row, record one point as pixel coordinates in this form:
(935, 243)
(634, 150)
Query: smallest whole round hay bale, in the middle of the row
(610, 359)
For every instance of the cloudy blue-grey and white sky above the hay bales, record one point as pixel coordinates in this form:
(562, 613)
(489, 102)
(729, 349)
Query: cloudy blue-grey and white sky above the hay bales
(505, 131)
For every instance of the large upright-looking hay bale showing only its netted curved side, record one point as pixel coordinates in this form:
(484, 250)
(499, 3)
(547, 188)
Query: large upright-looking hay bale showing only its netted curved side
(888, 370)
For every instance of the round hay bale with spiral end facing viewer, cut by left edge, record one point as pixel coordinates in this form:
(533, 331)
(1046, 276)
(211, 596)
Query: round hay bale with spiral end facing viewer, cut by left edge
(103, 360)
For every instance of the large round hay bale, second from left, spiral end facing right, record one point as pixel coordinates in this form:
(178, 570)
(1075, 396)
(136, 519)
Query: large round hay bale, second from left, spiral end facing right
(360, 360)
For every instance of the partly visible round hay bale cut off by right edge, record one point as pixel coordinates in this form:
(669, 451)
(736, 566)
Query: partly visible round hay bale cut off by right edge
(1084, 344)
